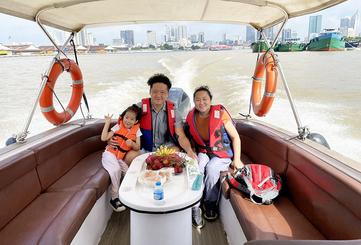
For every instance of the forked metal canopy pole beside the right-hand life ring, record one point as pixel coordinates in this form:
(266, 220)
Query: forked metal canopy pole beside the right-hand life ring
(303, 131)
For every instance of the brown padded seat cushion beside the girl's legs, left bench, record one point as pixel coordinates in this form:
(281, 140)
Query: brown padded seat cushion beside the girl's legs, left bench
(87, 173)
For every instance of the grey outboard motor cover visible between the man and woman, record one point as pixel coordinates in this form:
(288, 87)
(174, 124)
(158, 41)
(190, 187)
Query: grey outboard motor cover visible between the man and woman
(181, 101)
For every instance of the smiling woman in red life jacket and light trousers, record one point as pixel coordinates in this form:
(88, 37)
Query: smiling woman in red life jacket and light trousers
(217, 142)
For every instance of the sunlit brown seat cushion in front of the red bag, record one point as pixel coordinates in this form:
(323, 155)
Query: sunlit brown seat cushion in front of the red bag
(278, 221)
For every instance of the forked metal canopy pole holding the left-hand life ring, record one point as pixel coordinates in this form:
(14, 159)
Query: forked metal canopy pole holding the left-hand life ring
(21, 137)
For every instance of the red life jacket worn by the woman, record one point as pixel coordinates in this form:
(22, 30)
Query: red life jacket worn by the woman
(219, 143)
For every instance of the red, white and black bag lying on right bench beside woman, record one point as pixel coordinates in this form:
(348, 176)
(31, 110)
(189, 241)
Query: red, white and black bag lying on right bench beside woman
(259, 182)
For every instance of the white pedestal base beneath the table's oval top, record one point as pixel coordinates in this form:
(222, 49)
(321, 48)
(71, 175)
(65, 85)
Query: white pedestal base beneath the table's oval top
(158, 229)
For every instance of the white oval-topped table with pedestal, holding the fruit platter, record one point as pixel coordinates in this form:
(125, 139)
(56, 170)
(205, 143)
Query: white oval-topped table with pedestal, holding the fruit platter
(154, 223)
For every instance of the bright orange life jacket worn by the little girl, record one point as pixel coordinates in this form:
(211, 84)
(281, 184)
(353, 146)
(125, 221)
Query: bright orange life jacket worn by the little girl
(121, 136)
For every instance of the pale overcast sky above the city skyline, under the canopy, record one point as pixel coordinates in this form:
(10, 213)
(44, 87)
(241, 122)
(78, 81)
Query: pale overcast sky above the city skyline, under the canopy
(13, 29)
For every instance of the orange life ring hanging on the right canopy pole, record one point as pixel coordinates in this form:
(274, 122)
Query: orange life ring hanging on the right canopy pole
(261, 104)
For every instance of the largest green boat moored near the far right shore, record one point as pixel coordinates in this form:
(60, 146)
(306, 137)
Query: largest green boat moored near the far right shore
(328, 40)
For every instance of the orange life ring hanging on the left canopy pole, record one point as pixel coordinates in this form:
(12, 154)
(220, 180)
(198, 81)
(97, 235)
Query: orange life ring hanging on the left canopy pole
(46, 97)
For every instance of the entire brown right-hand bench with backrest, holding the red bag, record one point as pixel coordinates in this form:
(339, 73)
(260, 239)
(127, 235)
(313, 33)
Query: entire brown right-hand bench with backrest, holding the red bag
(315, 195)
